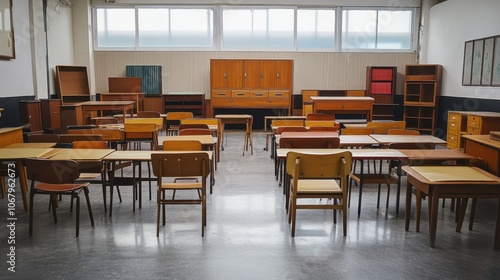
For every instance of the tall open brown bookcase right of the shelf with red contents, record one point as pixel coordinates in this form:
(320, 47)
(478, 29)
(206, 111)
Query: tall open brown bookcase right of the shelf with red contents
(421, 90)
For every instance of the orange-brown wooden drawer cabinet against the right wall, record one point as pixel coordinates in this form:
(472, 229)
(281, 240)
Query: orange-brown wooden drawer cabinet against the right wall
(469, 123)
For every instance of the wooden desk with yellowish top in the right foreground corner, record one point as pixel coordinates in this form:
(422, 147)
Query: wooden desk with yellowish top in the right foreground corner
(457, 182)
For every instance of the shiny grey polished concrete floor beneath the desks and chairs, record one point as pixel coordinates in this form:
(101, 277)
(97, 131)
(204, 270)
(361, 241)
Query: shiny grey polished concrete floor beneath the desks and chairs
(247, 236)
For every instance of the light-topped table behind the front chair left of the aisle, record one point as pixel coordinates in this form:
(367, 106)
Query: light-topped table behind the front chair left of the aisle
(138, 157)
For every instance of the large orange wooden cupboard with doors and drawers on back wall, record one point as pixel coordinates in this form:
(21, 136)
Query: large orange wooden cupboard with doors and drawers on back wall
(256, 84)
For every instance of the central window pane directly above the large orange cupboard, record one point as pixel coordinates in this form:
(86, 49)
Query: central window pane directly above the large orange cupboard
(258, 28)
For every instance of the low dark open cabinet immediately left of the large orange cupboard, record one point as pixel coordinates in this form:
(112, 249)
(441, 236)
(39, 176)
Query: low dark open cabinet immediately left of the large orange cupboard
(185, 101)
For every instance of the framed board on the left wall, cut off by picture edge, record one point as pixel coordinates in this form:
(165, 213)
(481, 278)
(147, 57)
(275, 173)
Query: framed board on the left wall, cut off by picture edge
(7, 46)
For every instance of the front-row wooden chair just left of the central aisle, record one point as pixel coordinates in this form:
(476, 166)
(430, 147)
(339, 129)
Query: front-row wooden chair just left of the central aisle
(181, 165)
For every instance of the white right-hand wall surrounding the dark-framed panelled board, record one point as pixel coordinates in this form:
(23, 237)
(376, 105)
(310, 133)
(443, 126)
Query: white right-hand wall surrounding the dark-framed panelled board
(451, 23)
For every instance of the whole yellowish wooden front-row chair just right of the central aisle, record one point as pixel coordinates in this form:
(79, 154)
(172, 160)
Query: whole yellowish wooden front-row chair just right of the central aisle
(316, 176)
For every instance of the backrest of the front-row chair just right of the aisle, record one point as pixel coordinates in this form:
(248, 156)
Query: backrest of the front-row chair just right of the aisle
(336, 165)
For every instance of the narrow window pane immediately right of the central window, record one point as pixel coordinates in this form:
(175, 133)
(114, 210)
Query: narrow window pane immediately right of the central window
(315, 29)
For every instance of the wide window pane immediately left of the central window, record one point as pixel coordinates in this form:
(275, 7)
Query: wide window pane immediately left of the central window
(175, 27)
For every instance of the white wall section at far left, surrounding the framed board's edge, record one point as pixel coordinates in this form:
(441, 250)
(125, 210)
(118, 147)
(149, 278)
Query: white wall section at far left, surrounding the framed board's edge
(16, 75)
